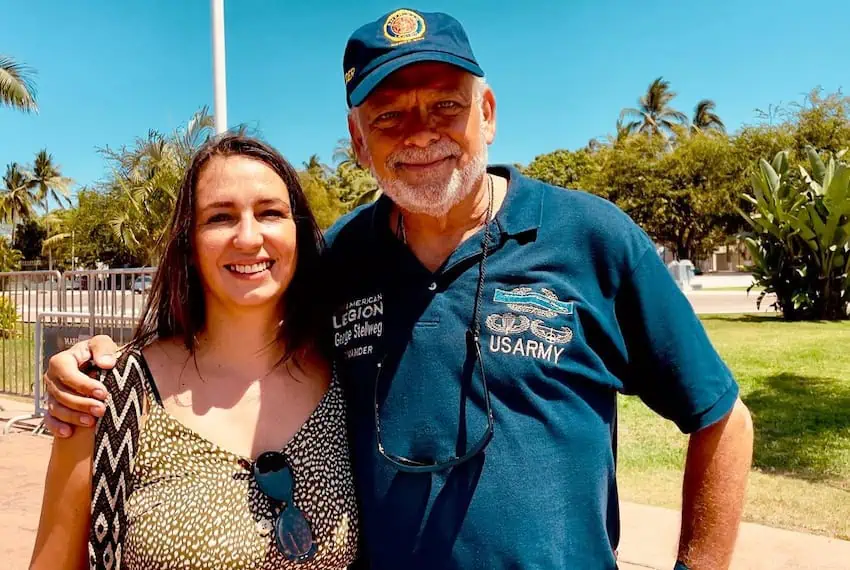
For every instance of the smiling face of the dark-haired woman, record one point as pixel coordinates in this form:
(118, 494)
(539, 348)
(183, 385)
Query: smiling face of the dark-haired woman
(244, 234)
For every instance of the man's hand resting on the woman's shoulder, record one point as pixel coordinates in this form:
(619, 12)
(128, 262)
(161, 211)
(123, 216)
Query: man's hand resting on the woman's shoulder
(74, 398)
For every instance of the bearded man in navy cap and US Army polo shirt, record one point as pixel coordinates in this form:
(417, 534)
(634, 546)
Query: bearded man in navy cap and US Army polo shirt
(483, 324)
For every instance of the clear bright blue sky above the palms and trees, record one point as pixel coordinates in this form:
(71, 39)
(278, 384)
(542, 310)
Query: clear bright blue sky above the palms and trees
(108, 70)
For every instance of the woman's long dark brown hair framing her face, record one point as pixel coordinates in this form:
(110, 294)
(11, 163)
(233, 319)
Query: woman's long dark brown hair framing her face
(175, 308)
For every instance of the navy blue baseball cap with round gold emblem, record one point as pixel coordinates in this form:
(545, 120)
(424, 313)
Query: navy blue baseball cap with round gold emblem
(400, 38)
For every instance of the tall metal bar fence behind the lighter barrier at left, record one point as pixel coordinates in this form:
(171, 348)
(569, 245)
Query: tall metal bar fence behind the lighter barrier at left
(110, 300)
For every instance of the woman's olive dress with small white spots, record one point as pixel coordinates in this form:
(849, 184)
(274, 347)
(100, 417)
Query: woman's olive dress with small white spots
(195, 506)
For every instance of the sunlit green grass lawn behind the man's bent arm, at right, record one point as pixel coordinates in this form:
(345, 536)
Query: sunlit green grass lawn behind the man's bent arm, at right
(795, 379)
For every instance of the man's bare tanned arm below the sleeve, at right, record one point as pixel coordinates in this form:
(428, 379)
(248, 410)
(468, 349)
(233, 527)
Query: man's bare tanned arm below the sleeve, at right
(716, 471)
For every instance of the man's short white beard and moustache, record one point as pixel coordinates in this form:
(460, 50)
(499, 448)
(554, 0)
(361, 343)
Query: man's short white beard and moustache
(435, 198)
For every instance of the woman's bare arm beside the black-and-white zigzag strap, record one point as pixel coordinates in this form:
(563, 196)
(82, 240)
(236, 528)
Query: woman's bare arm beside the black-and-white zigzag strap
(62, 539)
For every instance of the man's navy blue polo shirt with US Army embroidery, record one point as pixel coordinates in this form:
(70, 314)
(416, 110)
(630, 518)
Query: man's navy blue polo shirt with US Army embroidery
(576, 307)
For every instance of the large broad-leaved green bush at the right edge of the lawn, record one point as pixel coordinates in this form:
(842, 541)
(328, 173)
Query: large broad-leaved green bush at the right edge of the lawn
(800, 241)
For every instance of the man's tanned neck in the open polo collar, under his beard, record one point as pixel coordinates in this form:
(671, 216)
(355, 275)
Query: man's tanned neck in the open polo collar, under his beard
(433, 238)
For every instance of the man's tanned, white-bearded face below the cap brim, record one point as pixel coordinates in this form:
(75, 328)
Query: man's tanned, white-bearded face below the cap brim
(424, 134)
